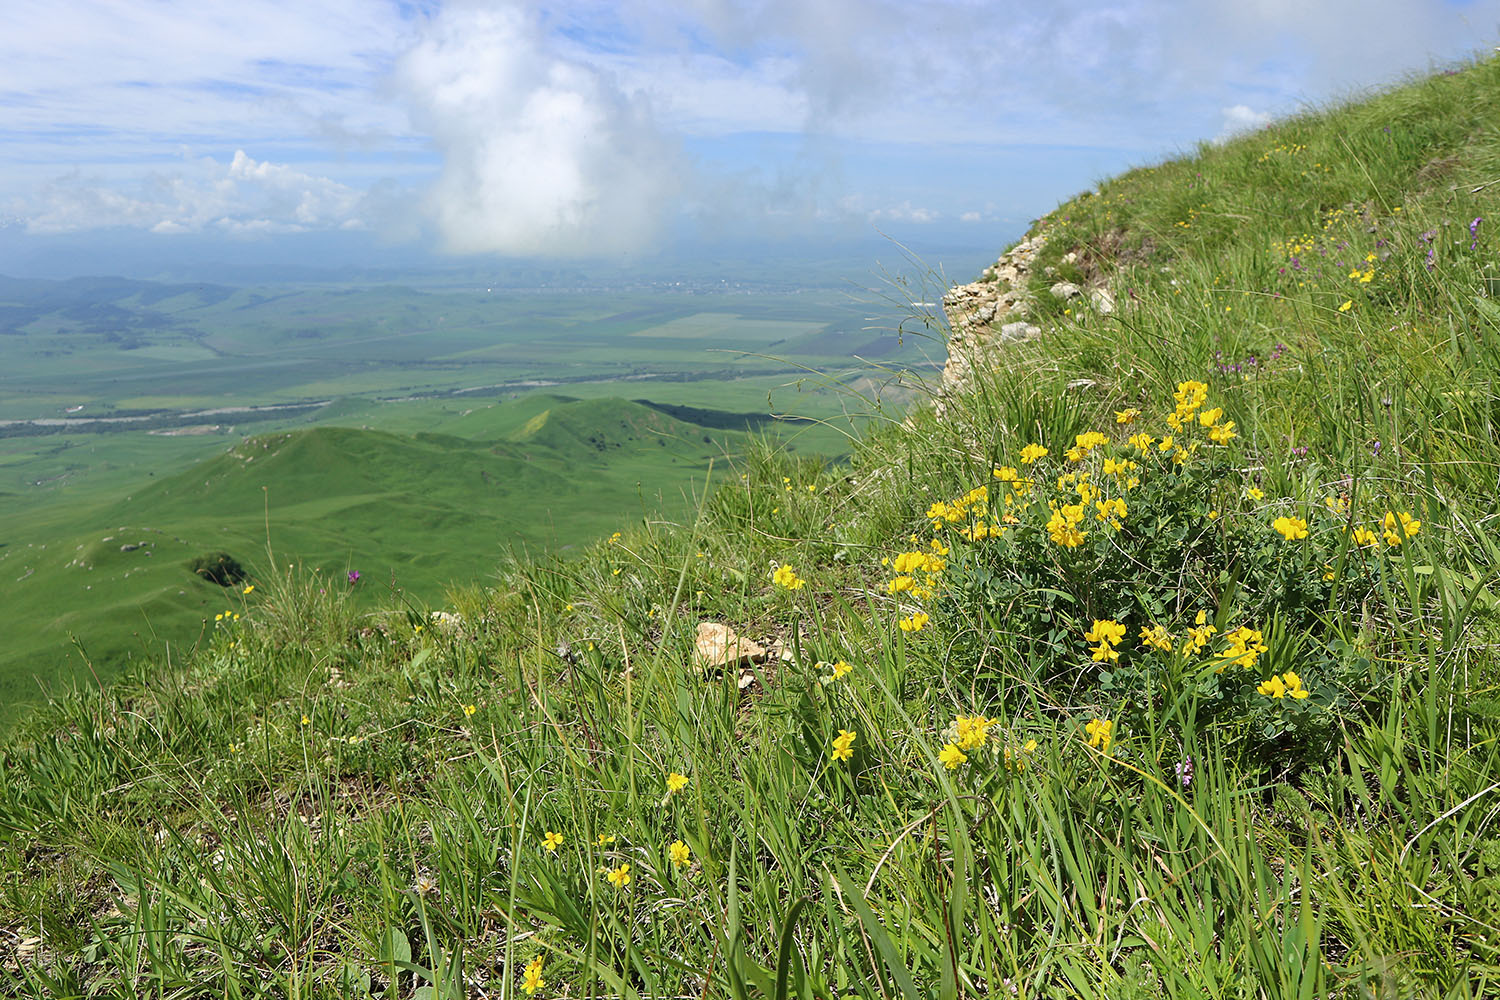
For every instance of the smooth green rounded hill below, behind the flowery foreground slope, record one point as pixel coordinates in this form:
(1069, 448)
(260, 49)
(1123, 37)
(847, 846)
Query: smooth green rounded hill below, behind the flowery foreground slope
(412, 512)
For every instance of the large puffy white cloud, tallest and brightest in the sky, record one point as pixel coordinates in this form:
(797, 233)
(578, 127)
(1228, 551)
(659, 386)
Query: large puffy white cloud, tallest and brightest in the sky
(542, 155)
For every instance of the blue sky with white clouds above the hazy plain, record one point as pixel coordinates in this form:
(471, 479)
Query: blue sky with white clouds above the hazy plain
(439, 131)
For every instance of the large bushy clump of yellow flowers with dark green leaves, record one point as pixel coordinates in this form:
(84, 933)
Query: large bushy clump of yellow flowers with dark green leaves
(1145, 558)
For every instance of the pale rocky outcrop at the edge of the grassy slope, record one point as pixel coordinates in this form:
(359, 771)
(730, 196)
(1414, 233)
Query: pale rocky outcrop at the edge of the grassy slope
(988, 314)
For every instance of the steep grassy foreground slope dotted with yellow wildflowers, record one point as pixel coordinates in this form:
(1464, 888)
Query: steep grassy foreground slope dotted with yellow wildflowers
(1162, 665)
